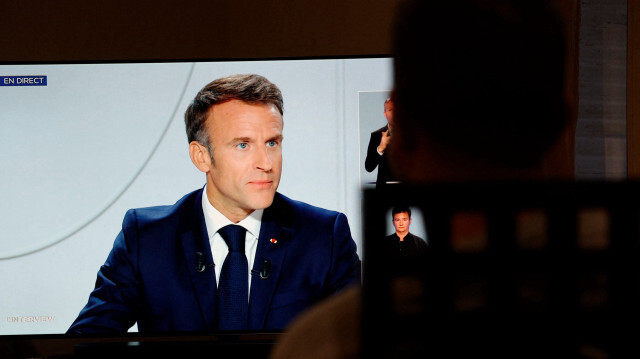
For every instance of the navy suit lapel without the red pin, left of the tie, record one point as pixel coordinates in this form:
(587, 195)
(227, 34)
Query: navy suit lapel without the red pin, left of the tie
(195, 240)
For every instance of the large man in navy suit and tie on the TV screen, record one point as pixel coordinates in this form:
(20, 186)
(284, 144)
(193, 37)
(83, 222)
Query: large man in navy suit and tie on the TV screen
(235, 255)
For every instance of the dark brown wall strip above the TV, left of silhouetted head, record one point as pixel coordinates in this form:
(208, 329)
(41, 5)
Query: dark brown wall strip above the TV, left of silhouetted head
(112, 30)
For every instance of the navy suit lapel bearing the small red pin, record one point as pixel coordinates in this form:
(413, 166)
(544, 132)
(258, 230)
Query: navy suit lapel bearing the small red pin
(272, 244)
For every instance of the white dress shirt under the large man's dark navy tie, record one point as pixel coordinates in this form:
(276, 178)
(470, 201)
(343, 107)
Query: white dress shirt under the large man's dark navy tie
(214, 220)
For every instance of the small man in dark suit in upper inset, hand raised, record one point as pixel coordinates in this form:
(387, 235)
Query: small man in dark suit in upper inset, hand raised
(378, 143)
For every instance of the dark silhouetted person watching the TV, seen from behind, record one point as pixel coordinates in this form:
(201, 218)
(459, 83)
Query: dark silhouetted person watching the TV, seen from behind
(479, 94)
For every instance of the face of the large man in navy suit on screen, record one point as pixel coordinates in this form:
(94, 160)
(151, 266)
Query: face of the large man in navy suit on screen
(246, 142)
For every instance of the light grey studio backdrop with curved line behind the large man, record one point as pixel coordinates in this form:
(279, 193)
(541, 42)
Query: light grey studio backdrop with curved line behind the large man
(102, 138)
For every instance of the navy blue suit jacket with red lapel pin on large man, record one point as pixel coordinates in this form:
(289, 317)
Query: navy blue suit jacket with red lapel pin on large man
(151, 276)
